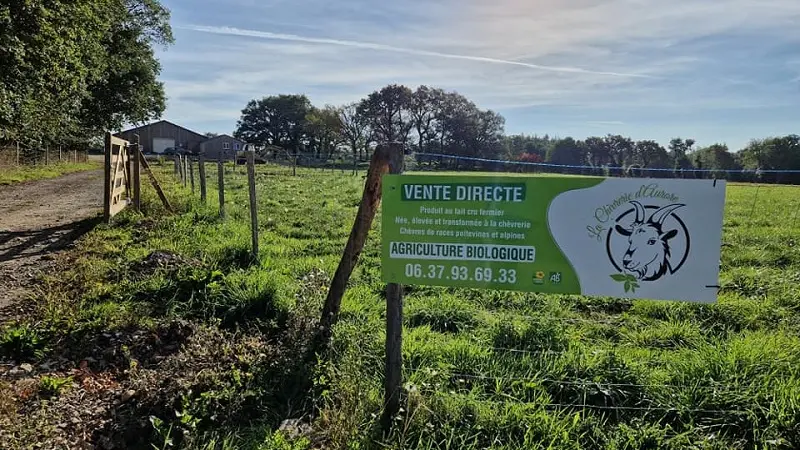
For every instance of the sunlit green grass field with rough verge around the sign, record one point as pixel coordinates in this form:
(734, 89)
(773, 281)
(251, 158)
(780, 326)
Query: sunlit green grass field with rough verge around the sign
(483, 369)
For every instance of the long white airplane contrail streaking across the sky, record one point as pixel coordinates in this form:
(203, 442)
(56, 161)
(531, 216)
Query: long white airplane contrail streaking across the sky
(389, 48)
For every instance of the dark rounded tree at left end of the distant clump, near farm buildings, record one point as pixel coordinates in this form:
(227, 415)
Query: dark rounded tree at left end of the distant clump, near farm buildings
(278, 120)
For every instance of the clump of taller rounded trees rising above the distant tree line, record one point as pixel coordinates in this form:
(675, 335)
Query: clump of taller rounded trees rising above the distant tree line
(423, 120)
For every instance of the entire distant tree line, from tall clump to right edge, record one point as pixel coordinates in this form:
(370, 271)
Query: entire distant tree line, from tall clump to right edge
(431, 122)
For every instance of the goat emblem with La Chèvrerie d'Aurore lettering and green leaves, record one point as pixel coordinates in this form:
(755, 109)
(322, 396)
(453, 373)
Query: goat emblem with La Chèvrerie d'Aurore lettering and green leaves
(644, 241)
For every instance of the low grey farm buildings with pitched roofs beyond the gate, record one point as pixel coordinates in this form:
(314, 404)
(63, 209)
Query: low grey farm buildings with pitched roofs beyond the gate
(162, 135)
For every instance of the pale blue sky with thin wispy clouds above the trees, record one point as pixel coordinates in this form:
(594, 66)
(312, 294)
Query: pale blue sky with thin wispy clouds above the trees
(714, 70)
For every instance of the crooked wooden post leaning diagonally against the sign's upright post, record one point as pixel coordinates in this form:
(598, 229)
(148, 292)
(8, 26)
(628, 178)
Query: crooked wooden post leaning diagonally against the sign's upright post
(383, 159)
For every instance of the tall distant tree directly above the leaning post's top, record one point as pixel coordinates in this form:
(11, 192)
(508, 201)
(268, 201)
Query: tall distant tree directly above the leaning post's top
(387, 112)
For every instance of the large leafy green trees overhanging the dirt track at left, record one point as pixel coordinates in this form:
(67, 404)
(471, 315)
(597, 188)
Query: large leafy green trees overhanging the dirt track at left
(71, 69)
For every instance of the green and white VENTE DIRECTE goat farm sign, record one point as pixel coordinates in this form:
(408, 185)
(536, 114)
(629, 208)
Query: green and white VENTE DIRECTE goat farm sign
(619, 237)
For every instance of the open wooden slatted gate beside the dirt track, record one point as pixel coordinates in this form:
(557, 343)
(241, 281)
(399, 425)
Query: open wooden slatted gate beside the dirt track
(117, 176)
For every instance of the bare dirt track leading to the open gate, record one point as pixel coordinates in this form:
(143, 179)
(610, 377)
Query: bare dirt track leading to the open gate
(39, 218)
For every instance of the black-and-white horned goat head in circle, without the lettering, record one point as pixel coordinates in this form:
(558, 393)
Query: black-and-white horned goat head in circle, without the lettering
(646, 246)
